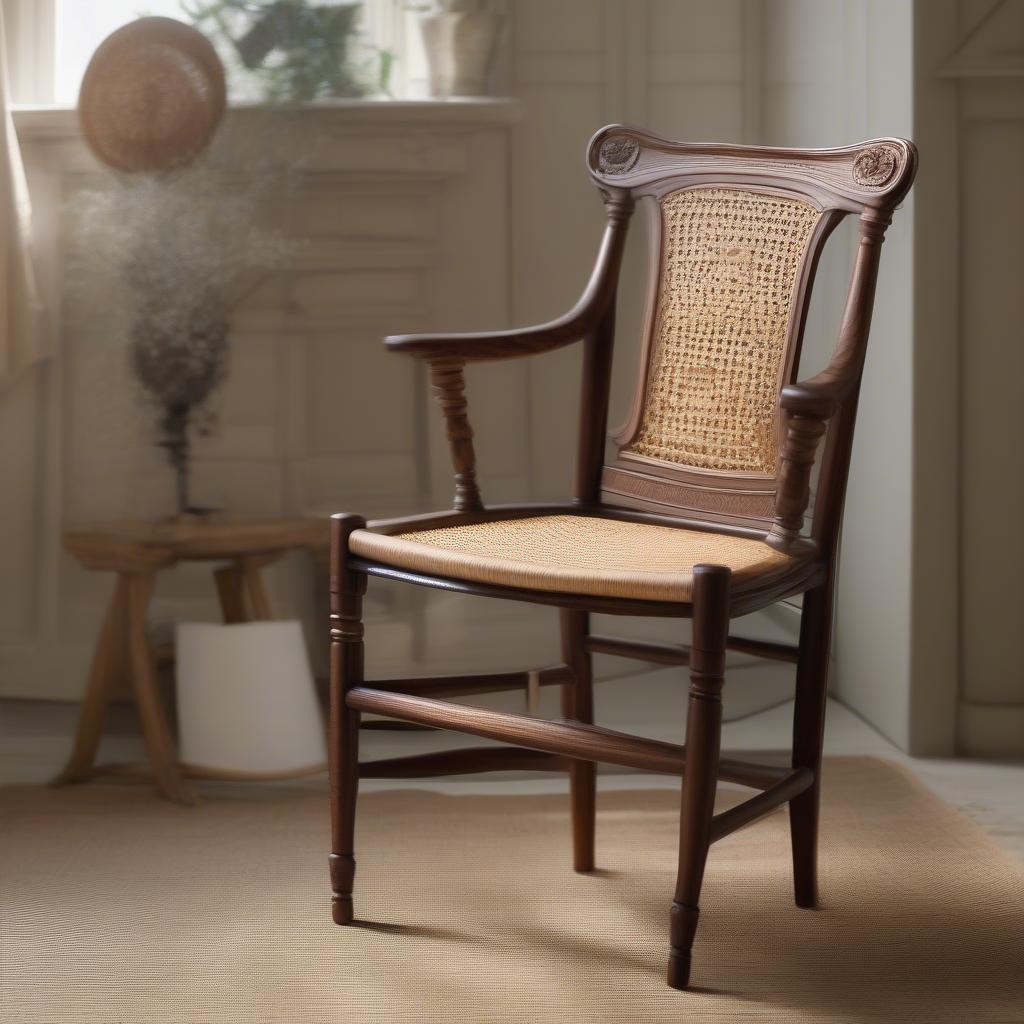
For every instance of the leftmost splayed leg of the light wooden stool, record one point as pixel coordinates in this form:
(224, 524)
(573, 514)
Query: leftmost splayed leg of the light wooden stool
(108, 667)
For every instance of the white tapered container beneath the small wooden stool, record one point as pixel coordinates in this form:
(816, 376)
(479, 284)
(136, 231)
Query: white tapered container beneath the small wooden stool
(247, 704)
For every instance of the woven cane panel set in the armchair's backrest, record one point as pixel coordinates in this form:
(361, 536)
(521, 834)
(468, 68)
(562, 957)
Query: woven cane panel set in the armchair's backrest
(731, 267)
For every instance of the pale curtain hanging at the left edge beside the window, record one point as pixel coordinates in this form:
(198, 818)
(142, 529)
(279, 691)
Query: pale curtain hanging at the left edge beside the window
(23, 340)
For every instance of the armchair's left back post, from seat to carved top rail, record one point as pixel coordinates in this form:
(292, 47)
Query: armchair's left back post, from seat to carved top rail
(599, 346)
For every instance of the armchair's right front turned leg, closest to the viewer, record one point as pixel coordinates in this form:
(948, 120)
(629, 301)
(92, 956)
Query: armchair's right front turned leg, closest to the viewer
(704, 732)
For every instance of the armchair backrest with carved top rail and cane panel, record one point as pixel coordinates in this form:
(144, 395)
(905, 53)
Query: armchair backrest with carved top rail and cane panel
(738, 232)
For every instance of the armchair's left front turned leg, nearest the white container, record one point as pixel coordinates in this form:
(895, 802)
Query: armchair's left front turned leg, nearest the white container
(344, 742)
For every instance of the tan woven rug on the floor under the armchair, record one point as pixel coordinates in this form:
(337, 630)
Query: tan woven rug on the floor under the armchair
(120, 908)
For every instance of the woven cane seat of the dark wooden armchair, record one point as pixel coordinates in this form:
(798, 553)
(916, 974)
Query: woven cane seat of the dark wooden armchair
(575, 554)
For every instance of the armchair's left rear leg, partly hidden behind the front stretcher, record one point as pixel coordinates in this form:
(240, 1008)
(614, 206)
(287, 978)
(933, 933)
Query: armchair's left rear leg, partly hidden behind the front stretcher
(578, 704)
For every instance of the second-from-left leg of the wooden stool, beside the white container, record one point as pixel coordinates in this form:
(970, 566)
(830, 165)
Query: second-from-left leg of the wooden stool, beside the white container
(158, 737)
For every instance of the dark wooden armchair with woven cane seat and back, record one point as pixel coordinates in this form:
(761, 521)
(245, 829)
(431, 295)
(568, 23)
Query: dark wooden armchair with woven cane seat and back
(699, 510)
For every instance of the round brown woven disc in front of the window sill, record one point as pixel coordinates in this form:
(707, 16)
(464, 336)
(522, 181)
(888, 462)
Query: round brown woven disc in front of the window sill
(152, 97)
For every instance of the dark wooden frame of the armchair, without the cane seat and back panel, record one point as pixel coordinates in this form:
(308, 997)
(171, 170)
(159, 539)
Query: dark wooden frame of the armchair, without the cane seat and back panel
(627, 164)
